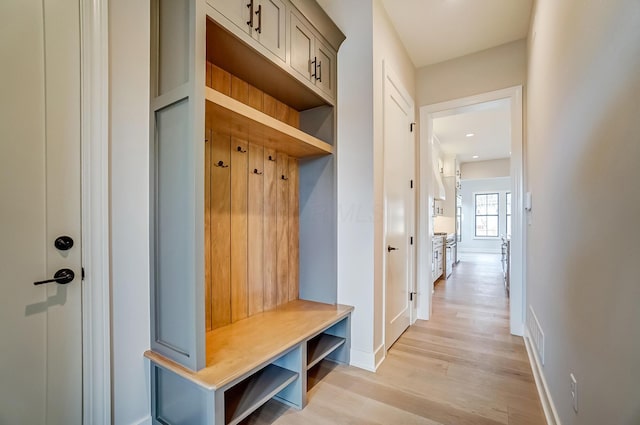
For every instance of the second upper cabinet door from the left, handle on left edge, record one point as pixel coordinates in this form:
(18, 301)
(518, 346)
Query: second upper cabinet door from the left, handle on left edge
(269, 26)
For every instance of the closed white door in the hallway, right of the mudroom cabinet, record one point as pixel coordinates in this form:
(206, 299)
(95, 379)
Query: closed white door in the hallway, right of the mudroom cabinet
(398, 172)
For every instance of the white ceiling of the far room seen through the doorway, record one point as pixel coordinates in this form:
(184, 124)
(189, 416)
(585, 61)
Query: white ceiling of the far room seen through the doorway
(489, 121)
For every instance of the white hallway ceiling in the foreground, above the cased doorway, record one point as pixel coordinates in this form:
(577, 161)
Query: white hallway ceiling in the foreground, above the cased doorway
(438, 30)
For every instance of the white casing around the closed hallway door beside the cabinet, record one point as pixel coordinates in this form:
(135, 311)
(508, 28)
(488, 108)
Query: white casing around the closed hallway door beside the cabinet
(389, 76)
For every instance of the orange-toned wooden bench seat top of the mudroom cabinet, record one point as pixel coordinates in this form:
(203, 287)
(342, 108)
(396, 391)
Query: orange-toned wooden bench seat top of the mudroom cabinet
(235, 350)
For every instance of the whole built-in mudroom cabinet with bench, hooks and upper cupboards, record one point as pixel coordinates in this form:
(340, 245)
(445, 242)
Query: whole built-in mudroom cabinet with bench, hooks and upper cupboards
(243, 264)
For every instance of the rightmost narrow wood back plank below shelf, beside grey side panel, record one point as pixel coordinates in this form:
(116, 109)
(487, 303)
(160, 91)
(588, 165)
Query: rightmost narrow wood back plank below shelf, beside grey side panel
(294, 230)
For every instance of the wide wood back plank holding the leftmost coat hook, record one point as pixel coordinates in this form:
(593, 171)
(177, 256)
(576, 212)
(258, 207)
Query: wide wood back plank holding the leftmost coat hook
(220, 230)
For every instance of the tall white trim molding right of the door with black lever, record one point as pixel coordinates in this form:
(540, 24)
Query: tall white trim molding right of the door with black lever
(96, 337)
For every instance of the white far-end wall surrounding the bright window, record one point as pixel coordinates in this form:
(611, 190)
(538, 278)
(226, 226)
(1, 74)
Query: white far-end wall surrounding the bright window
(471, 243)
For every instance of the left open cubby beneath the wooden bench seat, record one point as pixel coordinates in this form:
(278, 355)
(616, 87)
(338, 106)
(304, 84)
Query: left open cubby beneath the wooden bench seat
(246, 396)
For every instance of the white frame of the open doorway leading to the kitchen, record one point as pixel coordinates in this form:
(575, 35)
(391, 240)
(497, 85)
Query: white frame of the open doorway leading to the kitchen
(518, 233)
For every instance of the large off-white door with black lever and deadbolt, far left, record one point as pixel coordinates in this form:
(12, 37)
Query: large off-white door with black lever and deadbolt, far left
(40, 325)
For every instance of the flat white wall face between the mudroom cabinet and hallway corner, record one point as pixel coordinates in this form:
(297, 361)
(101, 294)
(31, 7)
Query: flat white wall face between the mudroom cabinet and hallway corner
(355, 172)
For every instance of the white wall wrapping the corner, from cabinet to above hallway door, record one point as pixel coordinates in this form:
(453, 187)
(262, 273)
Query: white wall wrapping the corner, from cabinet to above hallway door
(359, 157)
